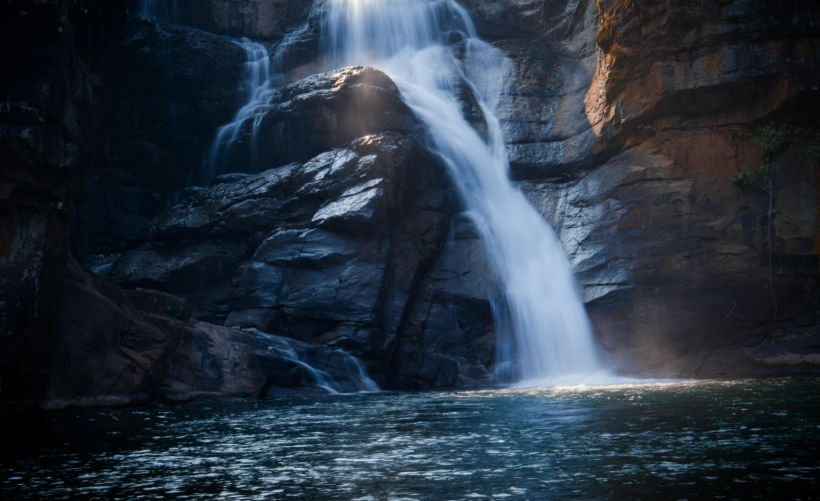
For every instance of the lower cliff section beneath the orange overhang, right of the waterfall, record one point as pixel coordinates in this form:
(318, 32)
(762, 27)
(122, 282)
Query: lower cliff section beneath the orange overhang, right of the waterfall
(675, 266)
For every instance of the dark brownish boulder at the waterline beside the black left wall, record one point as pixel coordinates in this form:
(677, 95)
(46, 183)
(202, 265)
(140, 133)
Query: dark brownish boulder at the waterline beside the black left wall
(109, 352)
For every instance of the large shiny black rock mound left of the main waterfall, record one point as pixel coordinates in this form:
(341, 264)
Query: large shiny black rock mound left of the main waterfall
(330, 247)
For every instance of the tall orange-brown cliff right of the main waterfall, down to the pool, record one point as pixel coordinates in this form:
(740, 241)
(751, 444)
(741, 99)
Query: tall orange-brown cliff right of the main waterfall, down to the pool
(684, 272)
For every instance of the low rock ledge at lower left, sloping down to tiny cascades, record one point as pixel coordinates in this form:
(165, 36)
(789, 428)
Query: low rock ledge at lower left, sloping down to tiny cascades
(132, 347)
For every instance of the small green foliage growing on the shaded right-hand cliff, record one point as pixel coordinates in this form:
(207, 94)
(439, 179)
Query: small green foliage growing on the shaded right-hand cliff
(772, 139)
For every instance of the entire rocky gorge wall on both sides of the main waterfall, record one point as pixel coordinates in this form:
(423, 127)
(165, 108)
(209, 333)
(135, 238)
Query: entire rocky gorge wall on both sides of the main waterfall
(335, 232)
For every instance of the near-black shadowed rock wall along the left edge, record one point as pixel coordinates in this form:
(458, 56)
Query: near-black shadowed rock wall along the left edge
(56, 94)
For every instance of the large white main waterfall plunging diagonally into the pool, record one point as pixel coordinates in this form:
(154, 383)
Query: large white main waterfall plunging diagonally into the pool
(431, 50)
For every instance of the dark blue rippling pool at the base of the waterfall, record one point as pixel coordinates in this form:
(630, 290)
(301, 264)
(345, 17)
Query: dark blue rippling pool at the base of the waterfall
(699, 440)
